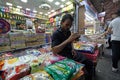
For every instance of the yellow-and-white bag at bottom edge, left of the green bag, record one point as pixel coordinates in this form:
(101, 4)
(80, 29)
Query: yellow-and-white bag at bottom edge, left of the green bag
(41, 75)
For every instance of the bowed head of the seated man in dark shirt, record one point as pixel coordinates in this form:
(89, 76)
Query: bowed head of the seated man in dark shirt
(66, 21)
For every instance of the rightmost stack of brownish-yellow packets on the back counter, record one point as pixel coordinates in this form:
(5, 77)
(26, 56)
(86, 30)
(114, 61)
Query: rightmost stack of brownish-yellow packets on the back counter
(34, 39)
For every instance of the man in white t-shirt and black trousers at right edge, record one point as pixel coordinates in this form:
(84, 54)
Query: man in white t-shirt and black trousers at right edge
(114, 27)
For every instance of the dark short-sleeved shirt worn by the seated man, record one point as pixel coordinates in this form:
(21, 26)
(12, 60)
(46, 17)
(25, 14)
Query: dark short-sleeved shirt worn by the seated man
(60, 36)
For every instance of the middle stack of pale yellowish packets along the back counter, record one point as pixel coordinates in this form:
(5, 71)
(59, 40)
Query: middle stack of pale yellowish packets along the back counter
(17, 40)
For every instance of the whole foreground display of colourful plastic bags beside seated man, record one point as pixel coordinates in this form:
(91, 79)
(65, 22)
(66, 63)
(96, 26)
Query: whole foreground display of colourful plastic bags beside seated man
(33, 64)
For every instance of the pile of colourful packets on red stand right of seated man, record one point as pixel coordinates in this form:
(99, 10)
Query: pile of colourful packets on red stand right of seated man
(85, 47)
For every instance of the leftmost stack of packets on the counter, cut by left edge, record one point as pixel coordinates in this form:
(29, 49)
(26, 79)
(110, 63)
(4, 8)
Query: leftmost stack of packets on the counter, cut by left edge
(4, 42)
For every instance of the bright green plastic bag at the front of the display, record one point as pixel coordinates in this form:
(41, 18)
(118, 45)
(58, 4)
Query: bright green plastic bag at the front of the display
(63, 70)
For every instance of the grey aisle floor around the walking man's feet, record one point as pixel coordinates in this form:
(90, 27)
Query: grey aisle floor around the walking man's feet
(103, 70)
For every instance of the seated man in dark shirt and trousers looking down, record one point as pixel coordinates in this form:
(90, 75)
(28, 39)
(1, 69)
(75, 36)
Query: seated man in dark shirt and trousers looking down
(62, 40)
